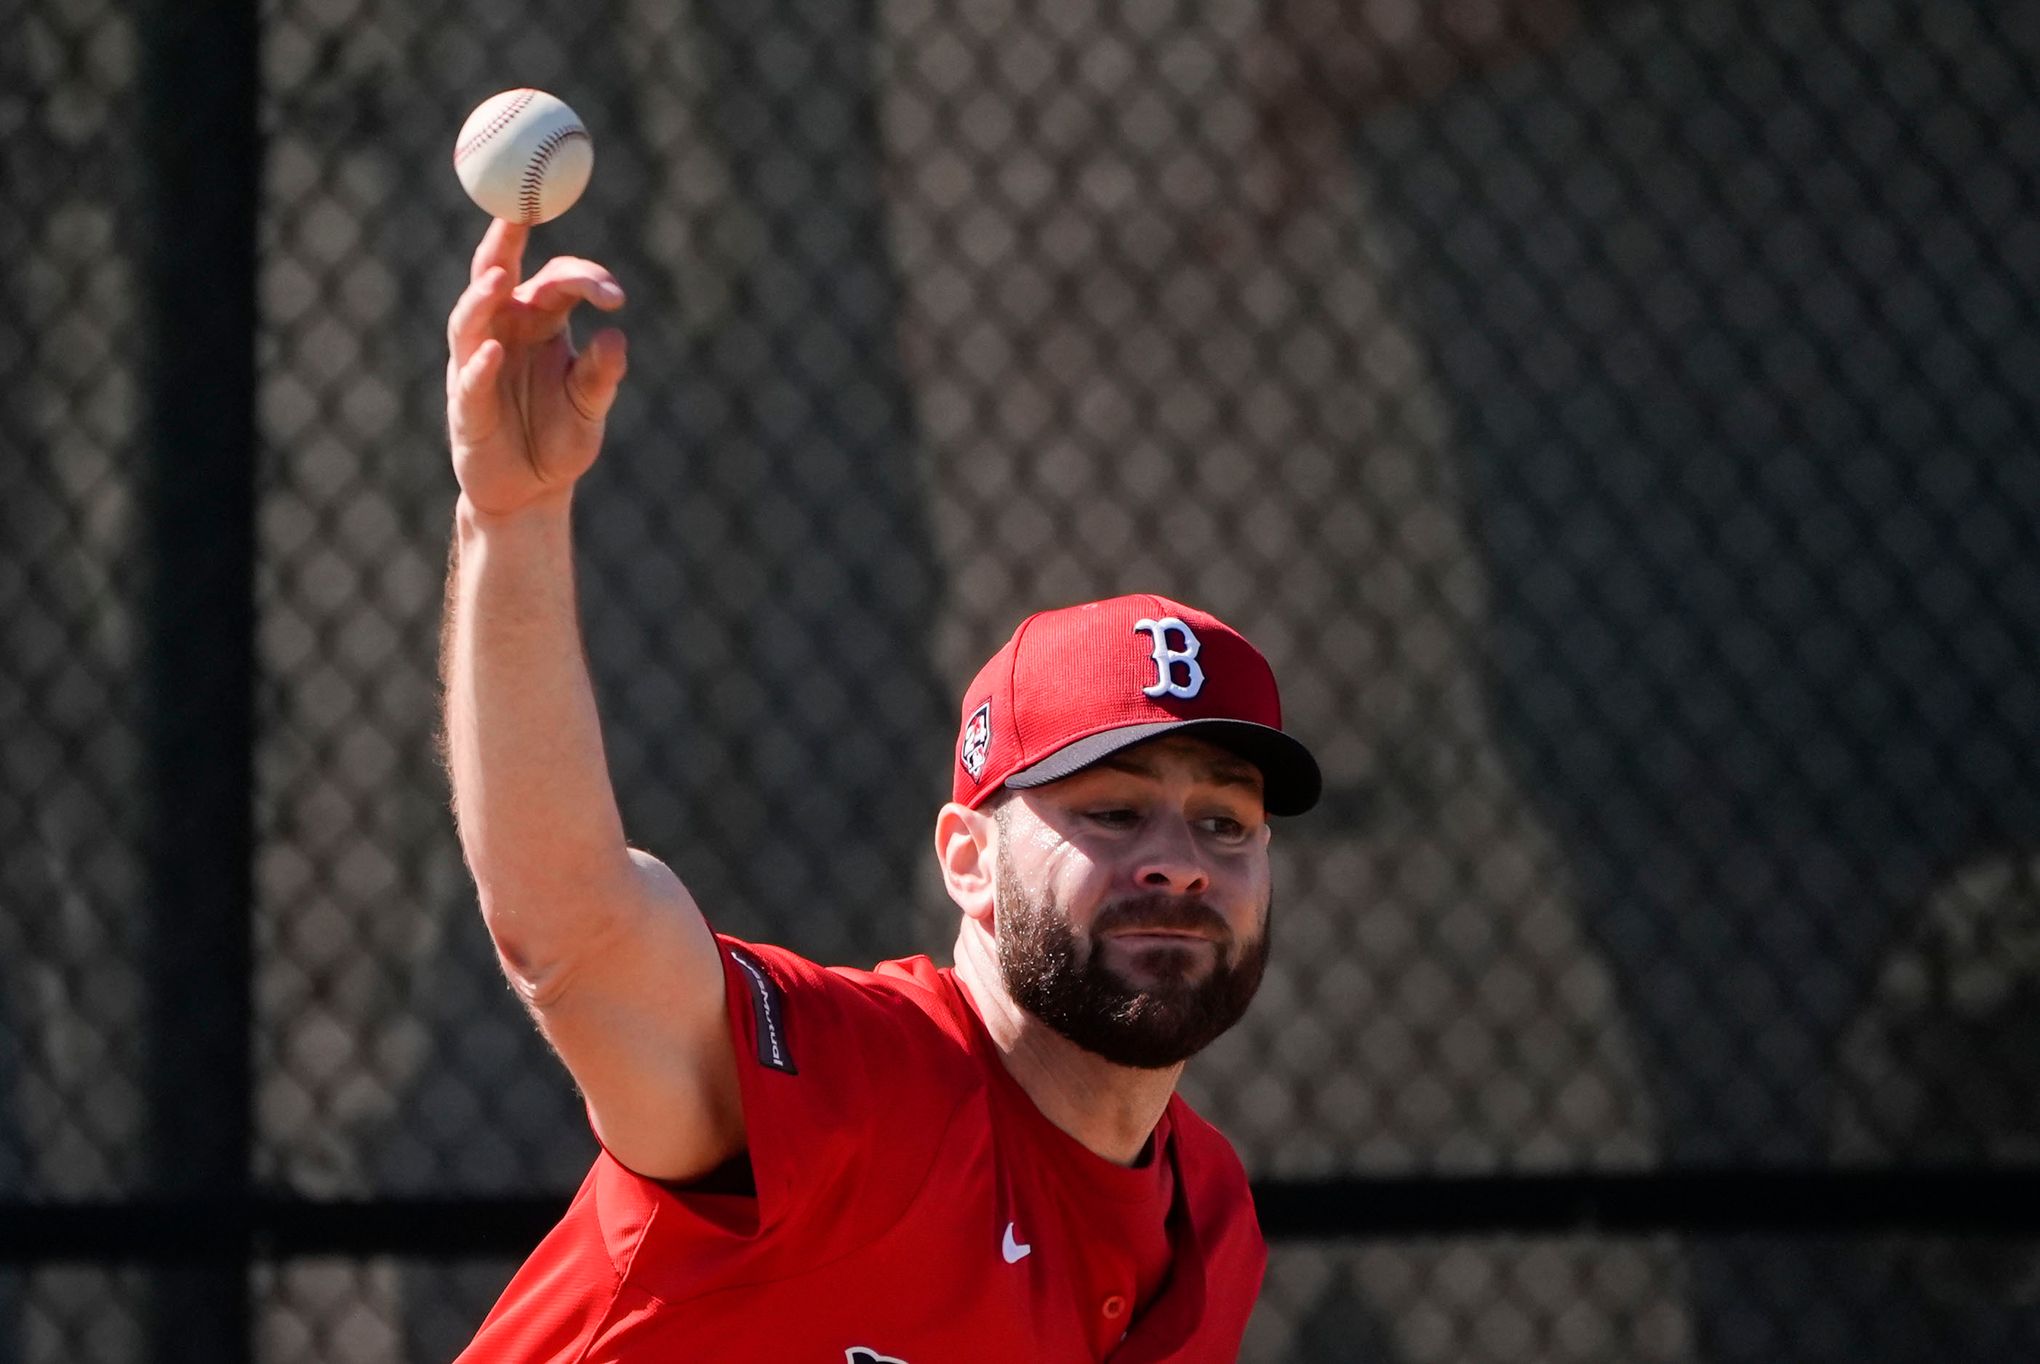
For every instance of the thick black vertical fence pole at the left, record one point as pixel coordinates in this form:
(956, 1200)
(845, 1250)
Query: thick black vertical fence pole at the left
(197, 242)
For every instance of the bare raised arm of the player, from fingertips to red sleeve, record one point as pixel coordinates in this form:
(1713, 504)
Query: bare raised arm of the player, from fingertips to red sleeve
(601, 943)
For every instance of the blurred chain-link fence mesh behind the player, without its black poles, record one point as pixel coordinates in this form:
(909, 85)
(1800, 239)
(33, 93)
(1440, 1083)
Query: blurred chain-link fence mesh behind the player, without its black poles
(1619, 421)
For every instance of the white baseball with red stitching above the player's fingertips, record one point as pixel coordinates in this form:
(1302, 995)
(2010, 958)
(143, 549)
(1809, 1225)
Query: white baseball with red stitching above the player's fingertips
(523, 156)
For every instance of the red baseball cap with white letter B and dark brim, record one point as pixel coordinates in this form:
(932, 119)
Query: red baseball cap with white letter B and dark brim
(1084, 682)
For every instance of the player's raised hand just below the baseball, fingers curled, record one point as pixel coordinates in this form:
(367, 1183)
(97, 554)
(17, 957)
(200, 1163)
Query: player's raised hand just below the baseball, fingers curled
(525, 413)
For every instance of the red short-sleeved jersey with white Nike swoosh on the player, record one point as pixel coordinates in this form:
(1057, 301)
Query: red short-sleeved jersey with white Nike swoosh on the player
(909, 1206)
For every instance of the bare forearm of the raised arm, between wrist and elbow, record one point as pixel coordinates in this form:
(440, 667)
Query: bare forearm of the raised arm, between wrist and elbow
(531, 784)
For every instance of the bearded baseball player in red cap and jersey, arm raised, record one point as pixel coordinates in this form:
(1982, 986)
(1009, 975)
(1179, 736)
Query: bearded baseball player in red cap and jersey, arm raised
(907, 1165)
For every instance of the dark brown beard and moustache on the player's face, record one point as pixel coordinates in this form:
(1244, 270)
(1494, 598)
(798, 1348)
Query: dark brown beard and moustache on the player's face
(1072, 990)
